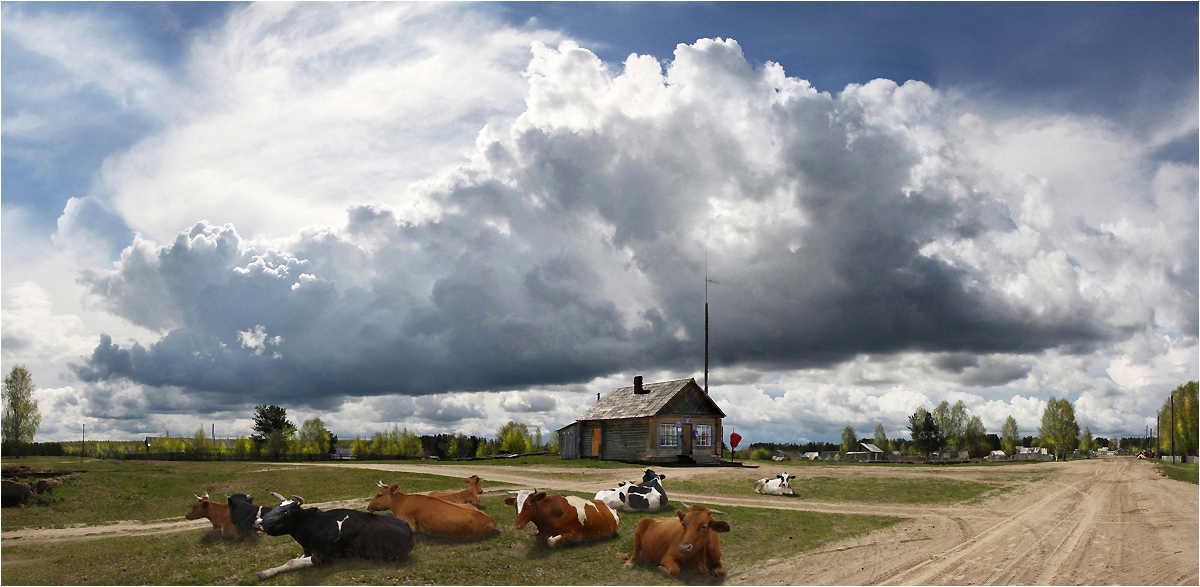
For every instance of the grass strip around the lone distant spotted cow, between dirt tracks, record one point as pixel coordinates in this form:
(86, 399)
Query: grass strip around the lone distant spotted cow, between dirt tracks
(868, 490)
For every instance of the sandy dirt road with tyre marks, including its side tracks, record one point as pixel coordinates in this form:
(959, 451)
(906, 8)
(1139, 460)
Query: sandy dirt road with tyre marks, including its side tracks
(1107, 522)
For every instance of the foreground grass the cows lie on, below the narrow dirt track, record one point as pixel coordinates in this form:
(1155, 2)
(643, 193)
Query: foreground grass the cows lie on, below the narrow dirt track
(511, 558)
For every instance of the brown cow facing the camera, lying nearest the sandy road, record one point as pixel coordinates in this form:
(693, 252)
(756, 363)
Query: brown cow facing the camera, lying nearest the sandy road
(689, 542)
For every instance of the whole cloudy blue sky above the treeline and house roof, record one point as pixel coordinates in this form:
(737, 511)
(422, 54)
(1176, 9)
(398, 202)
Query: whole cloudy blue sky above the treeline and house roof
(448, 217)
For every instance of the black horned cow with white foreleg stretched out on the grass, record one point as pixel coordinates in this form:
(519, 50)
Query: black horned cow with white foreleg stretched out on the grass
(333, 535)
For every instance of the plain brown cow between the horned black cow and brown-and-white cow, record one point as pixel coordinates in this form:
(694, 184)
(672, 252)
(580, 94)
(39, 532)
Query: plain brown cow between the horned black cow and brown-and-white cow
(431, 516)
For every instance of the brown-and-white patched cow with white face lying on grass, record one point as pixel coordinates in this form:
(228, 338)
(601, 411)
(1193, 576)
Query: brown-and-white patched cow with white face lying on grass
(563, 519)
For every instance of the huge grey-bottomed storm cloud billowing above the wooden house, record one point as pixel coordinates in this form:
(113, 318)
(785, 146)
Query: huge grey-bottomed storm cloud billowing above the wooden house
(577, 250)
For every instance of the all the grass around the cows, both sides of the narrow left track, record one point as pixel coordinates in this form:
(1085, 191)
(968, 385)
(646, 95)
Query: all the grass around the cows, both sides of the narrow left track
(121, 490)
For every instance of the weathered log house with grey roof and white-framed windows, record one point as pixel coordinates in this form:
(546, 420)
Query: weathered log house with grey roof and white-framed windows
(657, 423)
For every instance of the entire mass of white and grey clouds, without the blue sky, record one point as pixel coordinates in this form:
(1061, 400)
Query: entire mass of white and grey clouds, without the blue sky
(400, 213)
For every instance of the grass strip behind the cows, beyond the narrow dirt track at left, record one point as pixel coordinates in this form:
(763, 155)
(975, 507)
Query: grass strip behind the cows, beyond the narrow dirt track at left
(115, 490)
